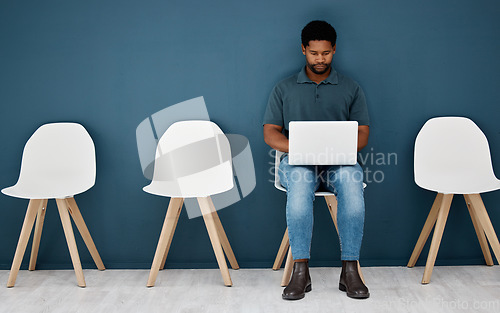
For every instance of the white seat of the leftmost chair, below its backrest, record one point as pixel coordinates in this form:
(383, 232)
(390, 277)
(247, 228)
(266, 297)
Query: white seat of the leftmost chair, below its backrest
(45, 190)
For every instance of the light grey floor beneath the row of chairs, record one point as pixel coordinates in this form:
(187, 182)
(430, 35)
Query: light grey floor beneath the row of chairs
(393, 289)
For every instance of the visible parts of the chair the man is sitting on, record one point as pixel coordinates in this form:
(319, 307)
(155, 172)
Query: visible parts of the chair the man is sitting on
(331, 202)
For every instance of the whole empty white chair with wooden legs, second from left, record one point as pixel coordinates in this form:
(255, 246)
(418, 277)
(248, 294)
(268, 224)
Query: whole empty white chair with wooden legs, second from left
(193, 160)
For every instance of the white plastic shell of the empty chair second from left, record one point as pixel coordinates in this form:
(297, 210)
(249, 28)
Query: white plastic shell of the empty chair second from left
(193, 159)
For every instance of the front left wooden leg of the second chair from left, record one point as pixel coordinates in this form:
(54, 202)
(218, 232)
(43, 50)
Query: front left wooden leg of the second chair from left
(167, 231)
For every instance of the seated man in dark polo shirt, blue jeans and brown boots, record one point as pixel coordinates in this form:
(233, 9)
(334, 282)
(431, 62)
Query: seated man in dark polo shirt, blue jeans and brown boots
(319, 93)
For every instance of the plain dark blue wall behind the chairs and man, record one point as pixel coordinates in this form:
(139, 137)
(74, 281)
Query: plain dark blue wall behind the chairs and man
(109, 65)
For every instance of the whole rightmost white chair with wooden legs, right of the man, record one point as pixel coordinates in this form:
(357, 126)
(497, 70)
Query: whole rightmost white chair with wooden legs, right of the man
(452, 156)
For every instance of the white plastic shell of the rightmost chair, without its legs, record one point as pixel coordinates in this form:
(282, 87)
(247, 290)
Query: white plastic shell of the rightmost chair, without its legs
(452, 156)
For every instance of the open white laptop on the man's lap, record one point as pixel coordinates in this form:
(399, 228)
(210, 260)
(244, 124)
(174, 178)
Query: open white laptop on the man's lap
(323, 143)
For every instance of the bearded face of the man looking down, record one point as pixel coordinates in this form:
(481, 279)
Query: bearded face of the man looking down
(319, 55)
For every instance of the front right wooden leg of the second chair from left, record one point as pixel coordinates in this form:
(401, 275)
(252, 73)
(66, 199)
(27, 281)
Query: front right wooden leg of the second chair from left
(214, 238)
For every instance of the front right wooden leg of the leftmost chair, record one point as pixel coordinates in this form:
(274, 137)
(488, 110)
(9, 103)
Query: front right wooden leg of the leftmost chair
(70, 239)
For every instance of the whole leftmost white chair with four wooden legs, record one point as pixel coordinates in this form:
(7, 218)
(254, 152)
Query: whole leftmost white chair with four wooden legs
(58, 162)
